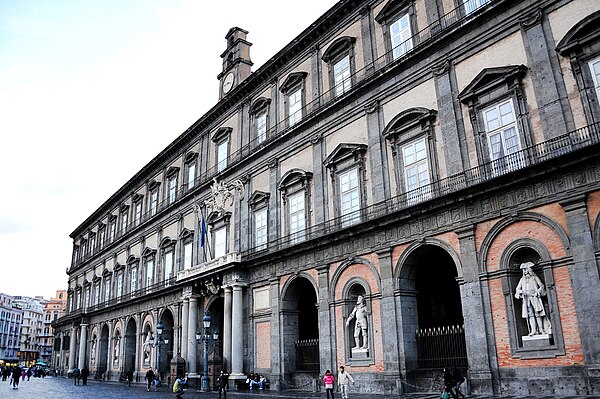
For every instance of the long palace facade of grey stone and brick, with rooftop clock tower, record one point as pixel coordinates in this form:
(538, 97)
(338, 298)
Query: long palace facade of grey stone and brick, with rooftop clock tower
(415, 153)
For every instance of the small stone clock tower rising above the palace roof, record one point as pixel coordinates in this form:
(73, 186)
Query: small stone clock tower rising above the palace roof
(236, 61)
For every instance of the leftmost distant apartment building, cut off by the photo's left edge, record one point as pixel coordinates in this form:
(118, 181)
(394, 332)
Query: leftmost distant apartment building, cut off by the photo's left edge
(10, 330)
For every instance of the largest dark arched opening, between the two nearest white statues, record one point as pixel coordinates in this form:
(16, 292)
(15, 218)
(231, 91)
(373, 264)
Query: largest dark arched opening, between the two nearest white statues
(433, 324)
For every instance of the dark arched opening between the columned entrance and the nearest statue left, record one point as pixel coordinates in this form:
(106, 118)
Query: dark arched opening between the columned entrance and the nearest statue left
(300, 330)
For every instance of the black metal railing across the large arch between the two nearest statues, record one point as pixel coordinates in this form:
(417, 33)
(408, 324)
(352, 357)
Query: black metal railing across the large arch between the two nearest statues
(440, 347)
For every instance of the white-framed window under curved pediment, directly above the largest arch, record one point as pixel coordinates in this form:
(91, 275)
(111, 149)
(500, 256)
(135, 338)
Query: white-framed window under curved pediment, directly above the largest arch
(416, 170)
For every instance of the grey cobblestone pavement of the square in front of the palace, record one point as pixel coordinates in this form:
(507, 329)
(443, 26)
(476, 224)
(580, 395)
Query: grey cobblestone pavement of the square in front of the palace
(62, 388)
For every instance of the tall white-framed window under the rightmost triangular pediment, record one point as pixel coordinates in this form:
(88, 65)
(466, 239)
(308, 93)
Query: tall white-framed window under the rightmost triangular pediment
(503, 137)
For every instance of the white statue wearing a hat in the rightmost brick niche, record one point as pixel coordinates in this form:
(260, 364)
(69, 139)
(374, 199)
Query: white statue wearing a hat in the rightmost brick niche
(530, 289)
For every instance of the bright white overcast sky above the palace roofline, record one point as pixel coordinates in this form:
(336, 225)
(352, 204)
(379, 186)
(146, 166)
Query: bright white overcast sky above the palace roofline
(91, 91)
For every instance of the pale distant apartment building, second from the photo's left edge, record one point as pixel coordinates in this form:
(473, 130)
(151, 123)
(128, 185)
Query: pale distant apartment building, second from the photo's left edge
(31, 327)
